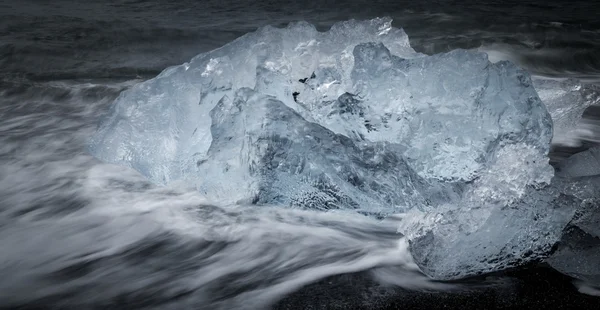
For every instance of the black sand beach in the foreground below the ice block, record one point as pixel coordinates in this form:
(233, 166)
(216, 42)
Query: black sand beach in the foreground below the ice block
(528, 287)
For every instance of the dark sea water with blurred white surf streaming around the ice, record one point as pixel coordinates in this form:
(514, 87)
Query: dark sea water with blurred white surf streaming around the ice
(77, 233)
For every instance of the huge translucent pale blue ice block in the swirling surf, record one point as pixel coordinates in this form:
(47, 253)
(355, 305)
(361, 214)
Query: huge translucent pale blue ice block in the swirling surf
(354, 120)
